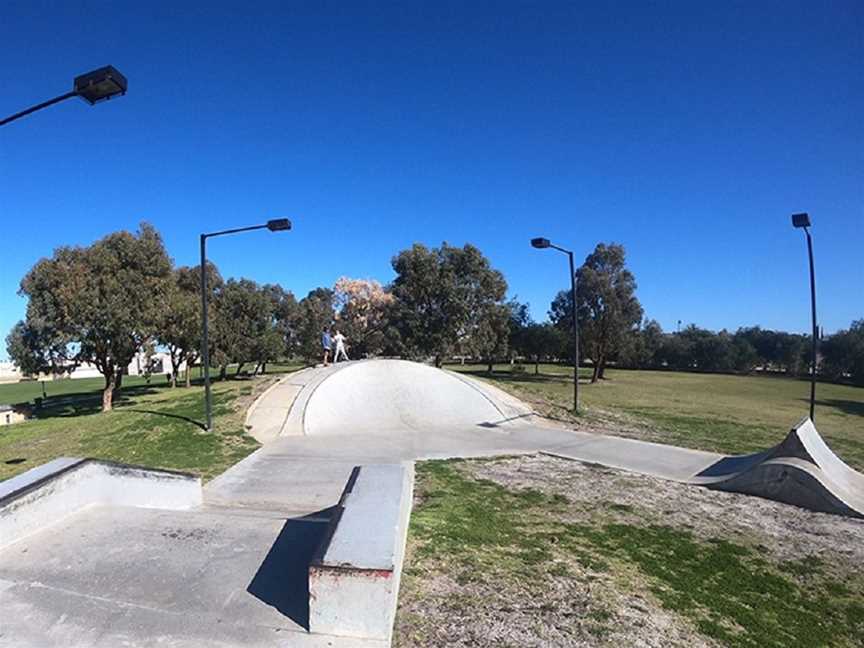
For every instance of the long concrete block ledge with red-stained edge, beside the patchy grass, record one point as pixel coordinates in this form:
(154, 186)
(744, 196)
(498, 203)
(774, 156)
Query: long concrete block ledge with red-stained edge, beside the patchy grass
(354, 576)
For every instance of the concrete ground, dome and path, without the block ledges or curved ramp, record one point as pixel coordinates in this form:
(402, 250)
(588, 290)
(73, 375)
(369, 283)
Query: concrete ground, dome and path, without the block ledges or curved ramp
(233, 571)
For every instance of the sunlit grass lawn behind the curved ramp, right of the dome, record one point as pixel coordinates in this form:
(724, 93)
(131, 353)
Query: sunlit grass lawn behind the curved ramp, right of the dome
(720, 413)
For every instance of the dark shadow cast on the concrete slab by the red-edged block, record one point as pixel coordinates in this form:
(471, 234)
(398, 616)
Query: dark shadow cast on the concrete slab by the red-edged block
(282, 580)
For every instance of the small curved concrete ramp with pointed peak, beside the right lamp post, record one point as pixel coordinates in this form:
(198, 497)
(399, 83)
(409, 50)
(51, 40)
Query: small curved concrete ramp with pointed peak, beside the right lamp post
(802, 470)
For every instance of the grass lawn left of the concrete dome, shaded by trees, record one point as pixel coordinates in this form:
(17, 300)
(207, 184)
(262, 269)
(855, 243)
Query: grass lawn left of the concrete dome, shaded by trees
(151, 425)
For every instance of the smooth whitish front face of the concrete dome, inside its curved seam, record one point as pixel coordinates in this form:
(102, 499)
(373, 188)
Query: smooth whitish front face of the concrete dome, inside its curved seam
(391, 395)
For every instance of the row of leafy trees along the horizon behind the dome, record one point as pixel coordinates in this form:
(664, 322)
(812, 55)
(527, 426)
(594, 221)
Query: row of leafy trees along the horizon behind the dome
(104, 303)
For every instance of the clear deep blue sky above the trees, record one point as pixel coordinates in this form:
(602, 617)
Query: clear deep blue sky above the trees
(688, 131)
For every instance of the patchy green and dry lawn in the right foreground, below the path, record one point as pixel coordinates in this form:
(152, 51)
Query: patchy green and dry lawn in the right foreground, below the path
(518, 552)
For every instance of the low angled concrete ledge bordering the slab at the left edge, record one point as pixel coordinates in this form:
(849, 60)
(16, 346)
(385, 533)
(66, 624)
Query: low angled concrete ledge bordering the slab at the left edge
(48, 493)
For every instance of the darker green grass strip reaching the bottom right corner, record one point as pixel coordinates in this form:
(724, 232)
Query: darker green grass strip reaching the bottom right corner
(727, 590)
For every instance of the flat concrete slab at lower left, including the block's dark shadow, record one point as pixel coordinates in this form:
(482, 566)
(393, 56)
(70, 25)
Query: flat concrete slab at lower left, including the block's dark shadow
(215, 576)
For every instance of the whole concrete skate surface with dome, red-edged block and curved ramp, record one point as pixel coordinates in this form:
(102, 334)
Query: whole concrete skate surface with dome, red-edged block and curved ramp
(239, 568)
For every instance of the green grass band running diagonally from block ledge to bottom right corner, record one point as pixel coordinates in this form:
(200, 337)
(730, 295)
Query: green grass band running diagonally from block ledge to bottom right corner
(728, 591)
